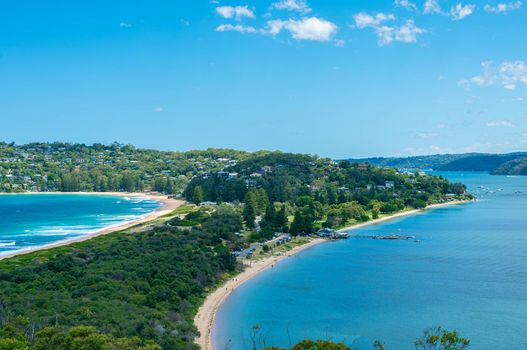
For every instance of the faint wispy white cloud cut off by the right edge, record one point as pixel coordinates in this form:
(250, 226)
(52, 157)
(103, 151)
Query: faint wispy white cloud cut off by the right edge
(508, 74)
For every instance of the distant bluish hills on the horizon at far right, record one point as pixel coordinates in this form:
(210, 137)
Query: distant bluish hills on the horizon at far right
(497, 164)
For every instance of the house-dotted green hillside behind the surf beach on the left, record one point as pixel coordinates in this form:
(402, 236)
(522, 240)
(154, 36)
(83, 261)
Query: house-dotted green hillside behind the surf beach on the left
(43, 167)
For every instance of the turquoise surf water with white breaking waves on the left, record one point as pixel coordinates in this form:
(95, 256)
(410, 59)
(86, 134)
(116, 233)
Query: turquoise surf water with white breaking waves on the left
(28, 221)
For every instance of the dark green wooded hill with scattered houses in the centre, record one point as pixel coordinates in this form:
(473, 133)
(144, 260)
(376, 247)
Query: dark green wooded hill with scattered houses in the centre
(317, 192)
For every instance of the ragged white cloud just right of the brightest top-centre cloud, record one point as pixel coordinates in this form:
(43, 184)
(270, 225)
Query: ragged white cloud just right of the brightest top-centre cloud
(406, 33)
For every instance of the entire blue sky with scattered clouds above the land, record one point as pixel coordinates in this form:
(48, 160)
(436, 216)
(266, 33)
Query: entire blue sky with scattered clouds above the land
(334, 78)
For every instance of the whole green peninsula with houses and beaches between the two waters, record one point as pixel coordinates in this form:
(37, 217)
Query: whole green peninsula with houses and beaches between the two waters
(152, 278)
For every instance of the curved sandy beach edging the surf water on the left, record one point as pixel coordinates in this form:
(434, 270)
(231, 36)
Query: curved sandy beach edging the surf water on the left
(167, 206)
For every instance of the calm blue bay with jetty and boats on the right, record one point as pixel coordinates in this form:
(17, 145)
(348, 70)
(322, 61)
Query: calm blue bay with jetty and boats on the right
(468, 273)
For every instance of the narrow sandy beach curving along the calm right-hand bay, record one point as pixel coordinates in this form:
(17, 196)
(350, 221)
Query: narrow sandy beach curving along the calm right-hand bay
(206, 315)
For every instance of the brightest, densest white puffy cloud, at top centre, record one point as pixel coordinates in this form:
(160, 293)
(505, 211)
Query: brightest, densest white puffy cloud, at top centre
(311, 28)
